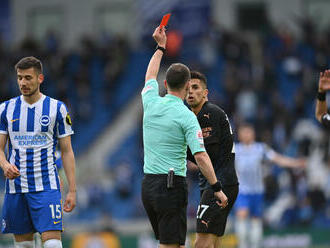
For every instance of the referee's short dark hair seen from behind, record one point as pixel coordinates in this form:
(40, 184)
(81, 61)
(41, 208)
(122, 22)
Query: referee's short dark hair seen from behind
(177, 75)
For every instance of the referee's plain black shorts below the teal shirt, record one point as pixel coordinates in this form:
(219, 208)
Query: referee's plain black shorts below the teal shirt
(166, 208)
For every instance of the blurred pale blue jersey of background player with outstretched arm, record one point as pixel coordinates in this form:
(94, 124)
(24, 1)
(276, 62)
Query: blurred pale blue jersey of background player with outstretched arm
(248, 163)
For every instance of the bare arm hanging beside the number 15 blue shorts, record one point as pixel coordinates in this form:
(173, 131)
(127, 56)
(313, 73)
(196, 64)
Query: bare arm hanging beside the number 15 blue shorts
(68, 161)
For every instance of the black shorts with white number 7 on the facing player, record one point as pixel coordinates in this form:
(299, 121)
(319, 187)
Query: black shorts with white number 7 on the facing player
(210, 217)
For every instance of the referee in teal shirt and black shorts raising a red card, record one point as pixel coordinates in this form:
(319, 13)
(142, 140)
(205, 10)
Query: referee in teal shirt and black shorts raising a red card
(168, 127)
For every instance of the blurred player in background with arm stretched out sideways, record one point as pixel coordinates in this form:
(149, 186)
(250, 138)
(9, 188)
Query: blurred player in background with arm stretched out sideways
(250, 156)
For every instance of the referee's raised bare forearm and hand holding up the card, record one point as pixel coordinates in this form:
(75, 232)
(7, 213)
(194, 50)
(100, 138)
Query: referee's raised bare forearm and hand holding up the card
(160, 37)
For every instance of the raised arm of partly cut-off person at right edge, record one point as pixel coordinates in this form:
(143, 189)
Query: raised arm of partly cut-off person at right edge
(321, 111)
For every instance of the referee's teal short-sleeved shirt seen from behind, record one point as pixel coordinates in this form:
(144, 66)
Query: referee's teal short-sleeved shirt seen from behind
(168, 127)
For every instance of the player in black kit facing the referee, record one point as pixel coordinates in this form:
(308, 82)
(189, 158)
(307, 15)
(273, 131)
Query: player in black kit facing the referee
(218, 140)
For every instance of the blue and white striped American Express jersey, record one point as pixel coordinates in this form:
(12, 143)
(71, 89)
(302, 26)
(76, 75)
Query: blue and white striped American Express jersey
(33, 130)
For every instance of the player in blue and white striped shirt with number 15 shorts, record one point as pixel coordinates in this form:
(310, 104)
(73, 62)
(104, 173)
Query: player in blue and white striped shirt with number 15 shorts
(32, 124)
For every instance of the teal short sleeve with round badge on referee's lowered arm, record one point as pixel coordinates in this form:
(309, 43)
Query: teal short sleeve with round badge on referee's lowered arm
(193, 133)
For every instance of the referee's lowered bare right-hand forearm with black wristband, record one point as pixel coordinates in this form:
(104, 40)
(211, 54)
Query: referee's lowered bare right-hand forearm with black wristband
(205, 165)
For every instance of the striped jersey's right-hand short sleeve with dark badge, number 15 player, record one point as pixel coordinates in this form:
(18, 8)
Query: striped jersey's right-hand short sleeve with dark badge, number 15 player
(64, 125)
